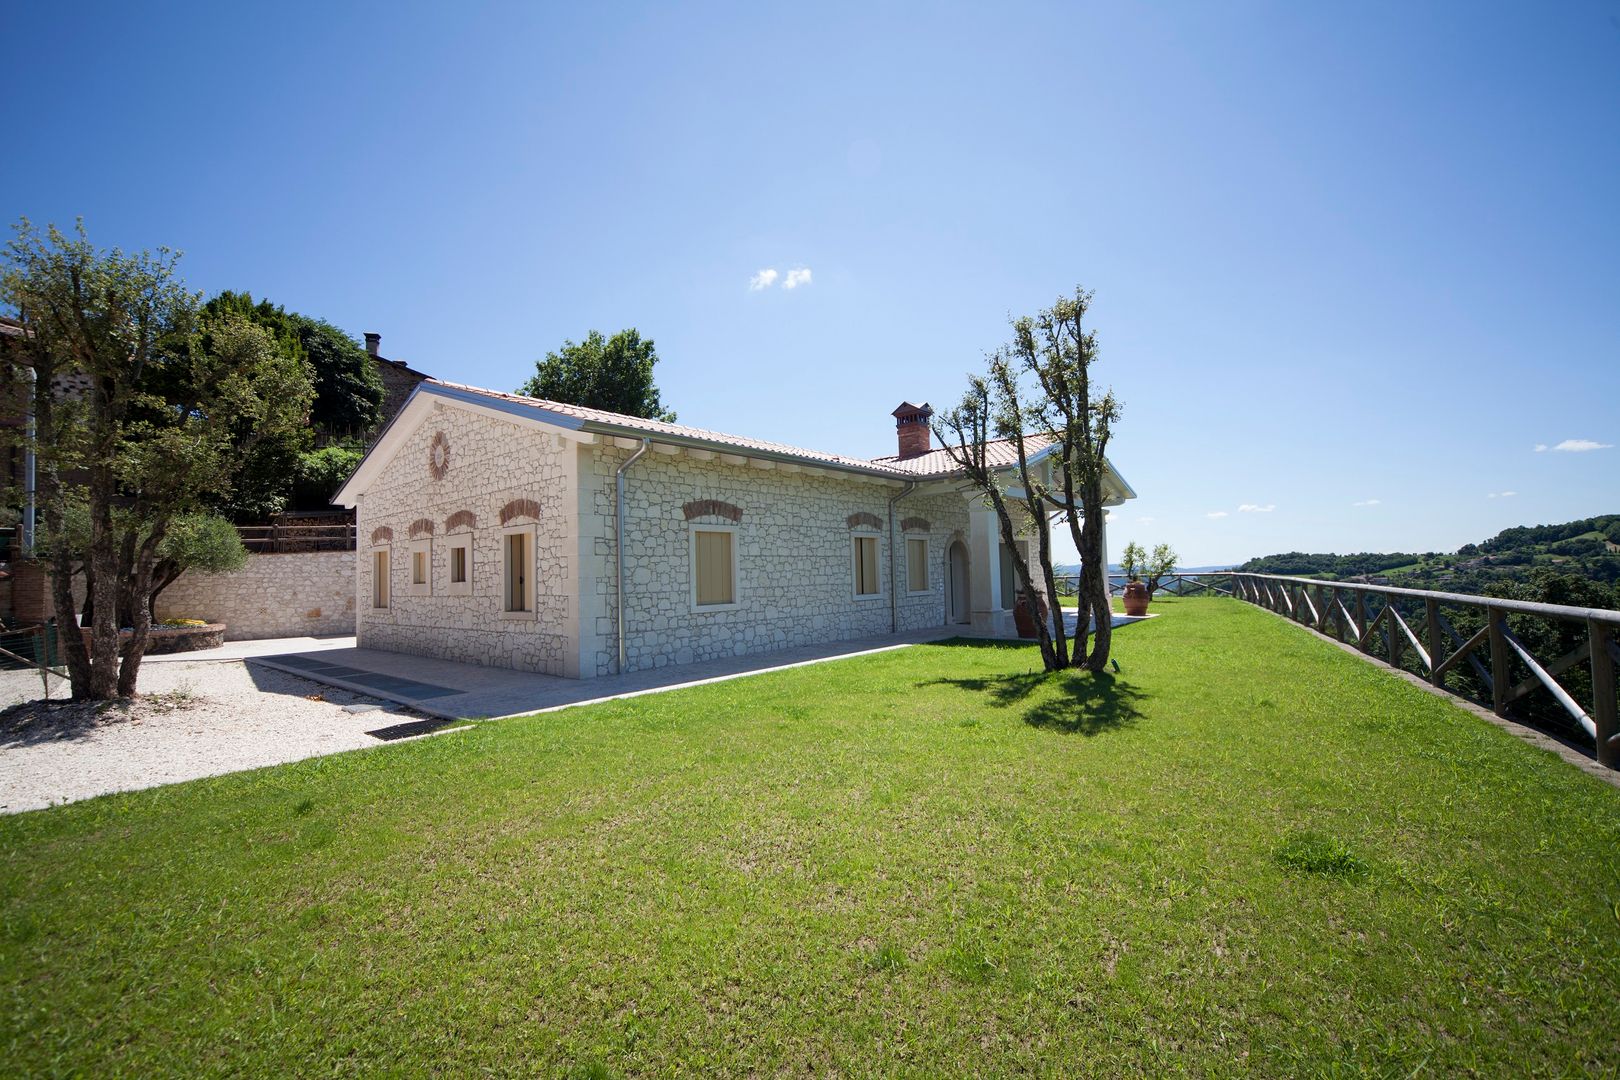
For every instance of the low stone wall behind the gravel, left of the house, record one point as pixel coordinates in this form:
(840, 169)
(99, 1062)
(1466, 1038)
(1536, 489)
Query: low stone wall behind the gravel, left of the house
(275, 597)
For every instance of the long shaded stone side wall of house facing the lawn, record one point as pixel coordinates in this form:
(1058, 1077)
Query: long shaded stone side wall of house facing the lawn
(795, 559)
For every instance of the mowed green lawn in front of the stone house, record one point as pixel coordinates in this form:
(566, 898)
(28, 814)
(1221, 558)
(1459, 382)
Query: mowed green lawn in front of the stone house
(1243, 854)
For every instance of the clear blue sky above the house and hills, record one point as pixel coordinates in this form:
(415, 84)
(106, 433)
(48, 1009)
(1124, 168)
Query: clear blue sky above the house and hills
(1354, 263)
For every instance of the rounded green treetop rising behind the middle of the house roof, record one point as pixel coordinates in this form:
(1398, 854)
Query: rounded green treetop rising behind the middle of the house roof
(613, 375)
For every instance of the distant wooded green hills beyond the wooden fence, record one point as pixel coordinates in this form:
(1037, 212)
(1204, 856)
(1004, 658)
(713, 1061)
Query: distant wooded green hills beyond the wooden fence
(1588, 550)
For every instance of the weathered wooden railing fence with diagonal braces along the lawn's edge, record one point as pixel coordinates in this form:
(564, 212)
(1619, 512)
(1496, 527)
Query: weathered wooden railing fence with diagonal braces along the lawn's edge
(1533, 661)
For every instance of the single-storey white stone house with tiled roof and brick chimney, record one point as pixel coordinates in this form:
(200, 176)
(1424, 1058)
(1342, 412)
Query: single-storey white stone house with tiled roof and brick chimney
(490, 532)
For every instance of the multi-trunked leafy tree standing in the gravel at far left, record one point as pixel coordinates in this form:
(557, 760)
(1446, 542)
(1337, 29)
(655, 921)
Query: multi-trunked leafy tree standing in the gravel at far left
(139, 417)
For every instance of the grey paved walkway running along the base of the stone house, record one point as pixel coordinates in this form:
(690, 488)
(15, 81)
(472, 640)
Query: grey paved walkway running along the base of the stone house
(454, 692)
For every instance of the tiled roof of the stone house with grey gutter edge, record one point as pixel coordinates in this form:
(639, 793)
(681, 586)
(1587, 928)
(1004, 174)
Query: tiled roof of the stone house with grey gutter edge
(932, 466)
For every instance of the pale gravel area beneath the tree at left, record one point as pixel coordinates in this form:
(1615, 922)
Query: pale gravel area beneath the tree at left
(192, 721)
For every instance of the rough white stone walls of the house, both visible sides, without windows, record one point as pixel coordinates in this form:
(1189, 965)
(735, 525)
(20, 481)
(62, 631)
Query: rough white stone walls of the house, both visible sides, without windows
(475, 475)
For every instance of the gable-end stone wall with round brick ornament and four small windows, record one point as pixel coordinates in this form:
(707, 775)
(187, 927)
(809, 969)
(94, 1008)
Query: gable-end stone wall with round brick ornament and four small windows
(492, 470)
